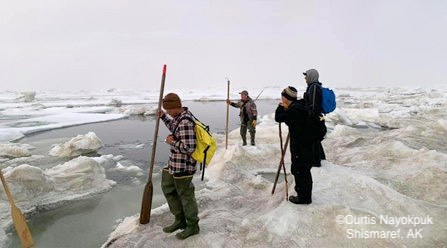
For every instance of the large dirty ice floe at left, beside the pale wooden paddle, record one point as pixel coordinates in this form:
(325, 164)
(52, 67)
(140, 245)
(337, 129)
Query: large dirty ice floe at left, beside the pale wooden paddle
(35, 189)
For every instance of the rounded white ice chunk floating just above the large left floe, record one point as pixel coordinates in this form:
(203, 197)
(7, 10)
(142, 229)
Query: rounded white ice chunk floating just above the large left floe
(81, 144)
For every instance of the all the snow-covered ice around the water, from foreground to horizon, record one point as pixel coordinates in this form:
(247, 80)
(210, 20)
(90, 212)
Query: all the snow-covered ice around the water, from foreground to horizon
(386, 155)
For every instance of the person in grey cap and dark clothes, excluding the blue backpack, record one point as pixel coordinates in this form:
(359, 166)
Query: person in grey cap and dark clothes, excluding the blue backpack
(312, 103)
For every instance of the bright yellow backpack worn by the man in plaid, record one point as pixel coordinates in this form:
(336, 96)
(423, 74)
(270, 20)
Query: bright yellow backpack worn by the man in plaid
(205, 144)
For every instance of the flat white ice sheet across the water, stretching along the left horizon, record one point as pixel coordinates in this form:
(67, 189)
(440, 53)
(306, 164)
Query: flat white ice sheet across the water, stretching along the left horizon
(51, 110)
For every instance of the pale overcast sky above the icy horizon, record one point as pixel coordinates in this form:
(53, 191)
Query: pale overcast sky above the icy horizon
(103, 44)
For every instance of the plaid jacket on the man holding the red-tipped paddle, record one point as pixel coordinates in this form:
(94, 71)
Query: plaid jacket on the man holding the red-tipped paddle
(182, 127)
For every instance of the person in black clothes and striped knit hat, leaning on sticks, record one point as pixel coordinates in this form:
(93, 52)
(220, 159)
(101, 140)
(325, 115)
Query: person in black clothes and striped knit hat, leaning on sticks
(295, 115)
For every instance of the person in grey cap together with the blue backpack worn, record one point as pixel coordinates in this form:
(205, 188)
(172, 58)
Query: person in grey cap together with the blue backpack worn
(317, 100)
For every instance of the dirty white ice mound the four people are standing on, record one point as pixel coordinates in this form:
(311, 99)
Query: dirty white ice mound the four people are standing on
(236, 208)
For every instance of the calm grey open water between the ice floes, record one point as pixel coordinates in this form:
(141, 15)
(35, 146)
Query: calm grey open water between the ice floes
(87, 223)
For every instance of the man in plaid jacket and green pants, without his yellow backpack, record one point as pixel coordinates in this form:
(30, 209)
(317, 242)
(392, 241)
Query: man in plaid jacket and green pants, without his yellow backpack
(176, 181)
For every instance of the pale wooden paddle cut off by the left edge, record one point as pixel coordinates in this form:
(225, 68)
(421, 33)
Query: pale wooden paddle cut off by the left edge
(17, 217)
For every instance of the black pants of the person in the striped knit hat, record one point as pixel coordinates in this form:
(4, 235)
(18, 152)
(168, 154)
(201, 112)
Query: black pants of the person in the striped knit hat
(301, 165)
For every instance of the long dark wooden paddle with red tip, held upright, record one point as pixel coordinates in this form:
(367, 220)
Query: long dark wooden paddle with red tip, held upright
(146, 203)
